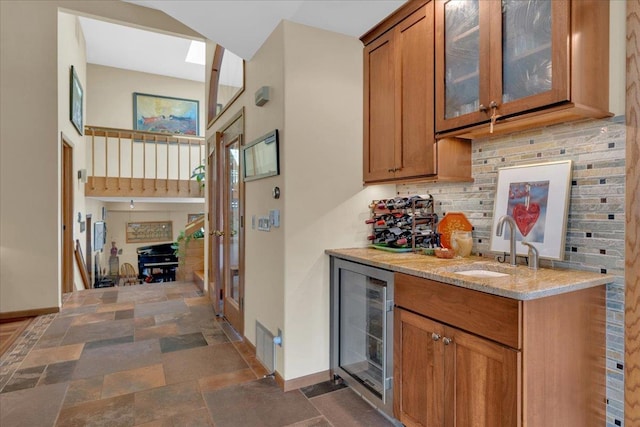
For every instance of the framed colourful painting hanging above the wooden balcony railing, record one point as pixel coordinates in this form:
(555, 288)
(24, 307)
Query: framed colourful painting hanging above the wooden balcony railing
(166, 114)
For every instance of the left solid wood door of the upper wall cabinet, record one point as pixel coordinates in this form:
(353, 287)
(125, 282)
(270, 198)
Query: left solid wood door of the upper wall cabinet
(379, 113)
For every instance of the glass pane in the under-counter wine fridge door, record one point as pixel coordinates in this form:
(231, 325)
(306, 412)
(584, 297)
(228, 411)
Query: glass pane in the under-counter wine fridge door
(362, 329)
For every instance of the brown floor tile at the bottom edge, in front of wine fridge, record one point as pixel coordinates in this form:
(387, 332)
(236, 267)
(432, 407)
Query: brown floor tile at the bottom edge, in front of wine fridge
(346, 408)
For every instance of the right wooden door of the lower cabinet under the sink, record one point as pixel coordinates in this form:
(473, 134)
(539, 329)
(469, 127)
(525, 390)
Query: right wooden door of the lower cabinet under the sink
(482, 382)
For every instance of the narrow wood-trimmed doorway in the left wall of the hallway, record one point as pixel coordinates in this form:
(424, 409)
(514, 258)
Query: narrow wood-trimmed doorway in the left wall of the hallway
(67, 217)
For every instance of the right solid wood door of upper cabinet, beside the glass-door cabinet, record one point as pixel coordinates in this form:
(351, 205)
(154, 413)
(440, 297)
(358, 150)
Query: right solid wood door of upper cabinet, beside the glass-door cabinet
(414, 47)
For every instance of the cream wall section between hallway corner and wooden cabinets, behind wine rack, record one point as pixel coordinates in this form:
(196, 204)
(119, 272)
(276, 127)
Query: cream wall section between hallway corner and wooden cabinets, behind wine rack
(326, 204)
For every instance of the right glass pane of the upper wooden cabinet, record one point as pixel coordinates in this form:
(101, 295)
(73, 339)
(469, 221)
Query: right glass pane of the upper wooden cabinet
(526, 48)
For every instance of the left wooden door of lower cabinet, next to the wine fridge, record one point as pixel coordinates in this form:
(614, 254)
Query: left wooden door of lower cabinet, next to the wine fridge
(418, 374)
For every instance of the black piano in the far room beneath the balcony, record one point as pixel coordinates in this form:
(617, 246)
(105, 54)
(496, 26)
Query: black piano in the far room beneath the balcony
(157, 263)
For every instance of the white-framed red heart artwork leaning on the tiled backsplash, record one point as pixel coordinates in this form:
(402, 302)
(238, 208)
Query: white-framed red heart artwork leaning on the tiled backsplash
(537, 198)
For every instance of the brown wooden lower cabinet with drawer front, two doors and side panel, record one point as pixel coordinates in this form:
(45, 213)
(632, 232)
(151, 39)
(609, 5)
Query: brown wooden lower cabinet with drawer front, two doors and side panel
(468, 358)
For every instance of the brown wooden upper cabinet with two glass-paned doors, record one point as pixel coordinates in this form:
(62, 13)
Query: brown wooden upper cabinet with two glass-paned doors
(507, 65)
